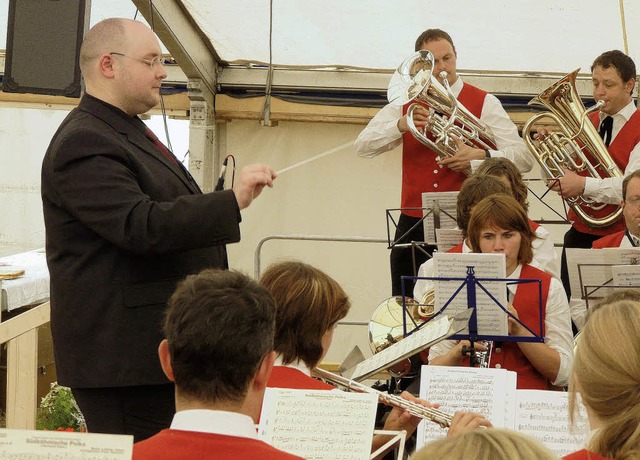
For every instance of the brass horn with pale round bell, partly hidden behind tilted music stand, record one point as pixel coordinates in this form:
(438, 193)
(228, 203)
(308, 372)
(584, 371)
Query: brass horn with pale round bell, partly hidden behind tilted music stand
(386, 326)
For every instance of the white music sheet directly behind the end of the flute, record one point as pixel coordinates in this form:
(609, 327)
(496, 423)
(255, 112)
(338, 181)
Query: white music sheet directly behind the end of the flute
(469, 389)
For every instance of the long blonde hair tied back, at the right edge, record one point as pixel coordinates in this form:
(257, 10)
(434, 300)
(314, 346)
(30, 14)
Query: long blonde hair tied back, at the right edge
(606, 373)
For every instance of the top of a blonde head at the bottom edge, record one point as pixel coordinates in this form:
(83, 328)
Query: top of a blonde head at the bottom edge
(485, 444)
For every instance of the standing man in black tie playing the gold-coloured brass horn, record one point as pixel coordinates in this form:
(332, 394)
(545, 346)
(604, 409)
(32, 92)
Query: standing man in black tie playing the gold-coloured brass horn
(613, 76)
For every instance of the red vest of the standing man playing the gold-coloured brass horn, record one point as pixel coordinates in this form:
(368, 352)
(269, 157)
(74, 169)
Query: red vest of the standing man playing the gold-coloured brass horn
(619, 151)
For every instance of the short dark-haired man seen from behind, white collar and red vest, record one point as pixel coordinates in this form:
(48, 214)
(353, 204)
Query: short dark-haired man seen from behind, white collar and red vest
(218, 350)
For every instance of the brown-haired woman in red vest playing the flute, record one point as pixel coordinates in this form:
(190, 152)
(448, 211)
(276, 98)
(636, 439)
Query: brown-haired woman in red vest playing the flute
(309, 305)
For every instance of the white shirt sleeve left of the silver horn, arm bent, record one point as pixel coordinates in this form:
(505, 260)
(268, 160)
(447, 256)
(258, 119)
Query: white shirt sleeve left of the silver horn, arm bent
(381, 134)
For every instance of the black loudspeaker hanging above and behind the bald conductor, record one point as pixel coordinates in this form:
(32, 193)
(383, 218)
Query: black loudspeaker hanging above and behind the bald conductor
(43, 46)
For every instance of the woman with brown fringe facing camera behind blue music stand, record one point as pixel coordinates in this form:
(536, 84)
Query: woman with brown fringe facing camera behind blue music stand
(499, 224)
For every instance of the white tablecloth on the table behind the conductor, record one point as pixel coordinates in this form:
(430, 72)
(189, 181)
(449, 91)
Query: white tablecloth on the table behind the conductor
(32, 287)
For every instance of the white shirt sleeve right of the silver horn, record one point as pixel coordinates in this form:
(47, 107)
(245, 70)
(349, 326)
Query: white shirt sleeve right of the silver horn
(508, 142)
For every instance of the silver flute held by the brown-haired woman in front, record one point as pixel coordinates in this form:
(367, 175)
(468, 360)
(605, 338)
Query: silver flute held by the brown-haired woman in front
(441, 418)
